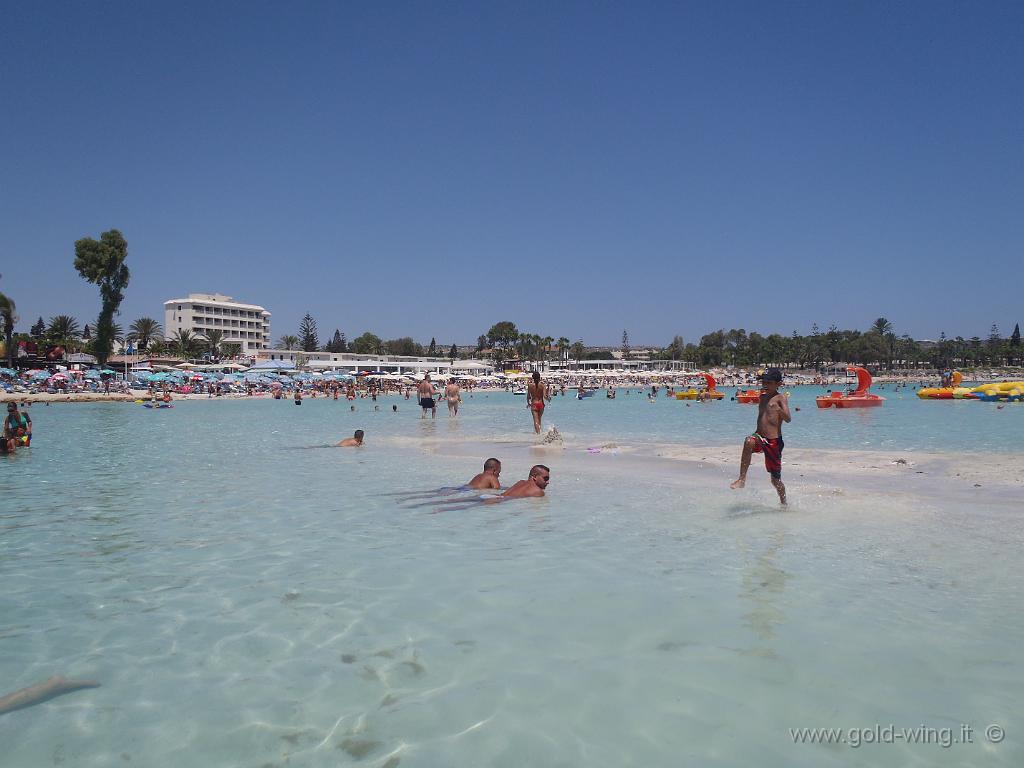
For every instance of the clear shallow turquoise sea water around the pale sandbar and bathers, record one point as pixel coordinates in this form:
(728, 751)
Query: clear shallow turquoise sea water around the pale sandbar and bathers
(247, 600)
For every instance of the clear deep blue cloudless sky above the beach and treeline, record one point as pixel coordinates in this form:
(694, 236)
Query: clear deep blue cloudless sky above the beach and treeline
(432, 168)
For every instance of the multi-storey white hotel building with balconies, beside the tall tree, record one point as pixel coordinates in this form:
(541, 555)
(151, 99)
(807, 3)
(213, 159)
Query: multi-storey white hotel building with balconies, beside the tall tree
(245, 325)
